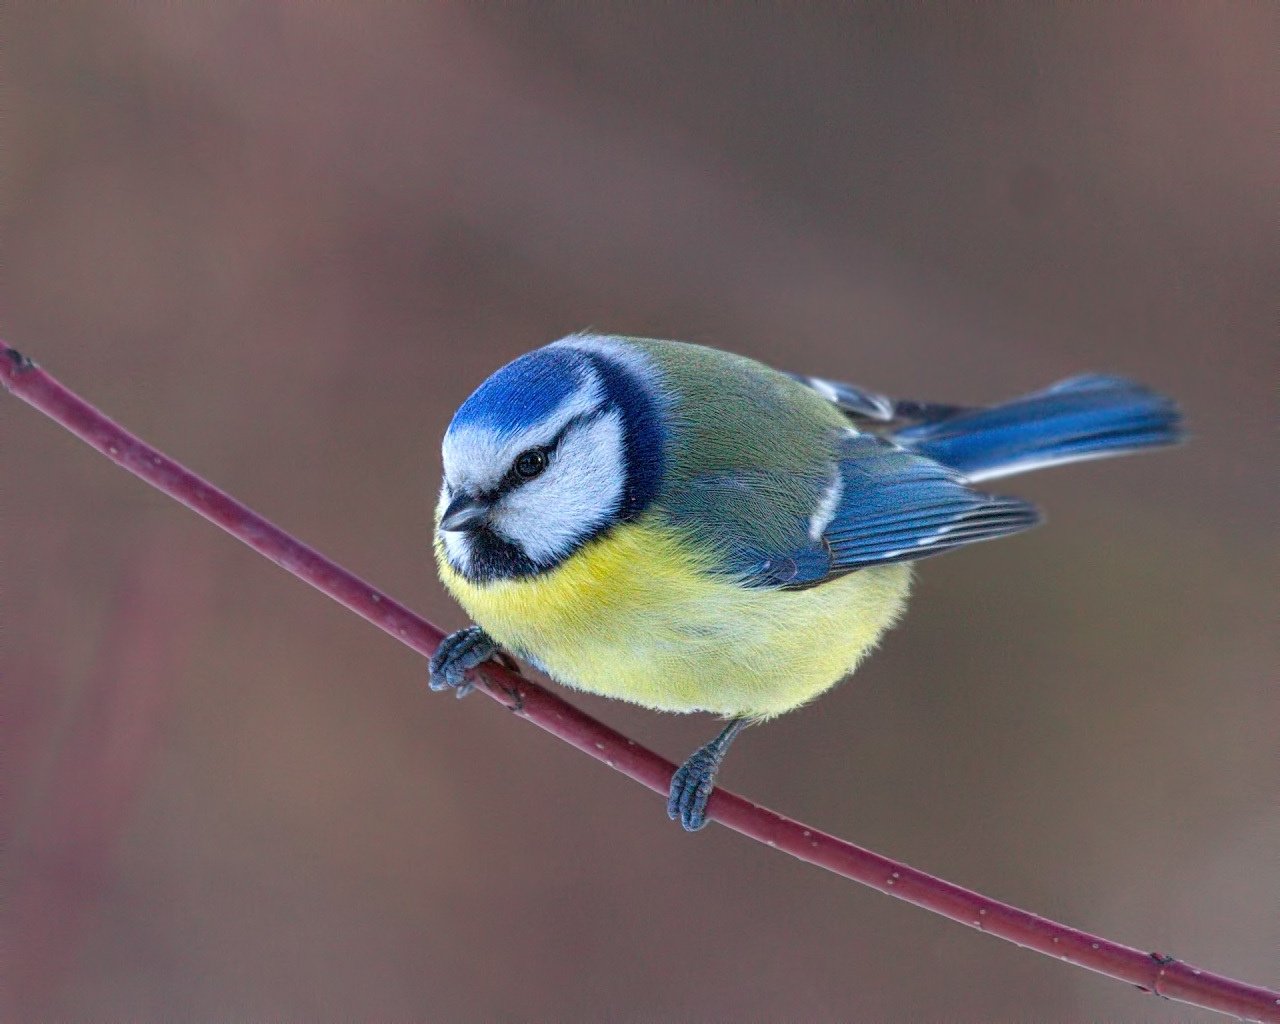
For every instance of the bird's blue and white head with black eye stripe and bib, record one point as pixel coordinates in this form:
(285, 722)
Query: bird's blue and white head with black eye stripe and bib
(547, 455)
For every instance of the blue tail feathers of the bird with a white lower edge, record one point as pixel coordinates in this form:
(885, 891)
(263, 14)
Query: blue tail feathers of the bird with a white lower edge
(1084, 418)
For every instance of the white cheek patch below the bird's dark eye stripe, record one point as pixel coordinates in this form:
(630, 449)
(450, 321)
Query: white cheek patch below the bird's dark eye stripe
(579, 492)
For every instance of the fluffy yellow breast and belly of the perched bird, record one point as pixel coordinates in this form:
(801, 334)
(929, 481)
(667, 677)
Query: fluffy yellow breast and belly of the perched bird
(634, 616)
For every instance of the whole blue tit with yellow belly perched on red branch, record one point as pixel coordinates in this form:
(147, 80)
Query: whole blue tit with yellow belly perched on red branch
(694, 532)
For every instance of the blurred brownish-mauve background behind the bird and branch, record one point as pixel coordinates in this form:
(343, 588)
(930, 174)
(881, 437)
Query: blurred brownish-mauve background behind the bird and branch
(285, 241)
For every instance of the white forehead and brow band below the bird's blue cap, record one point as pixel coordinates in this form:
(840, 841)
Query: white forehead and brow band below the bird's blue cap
(477, 456)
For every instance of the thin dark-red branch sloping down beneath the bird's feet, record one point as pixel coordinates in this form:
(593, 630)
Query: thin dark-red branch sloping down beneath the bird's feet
(1153, 972)
